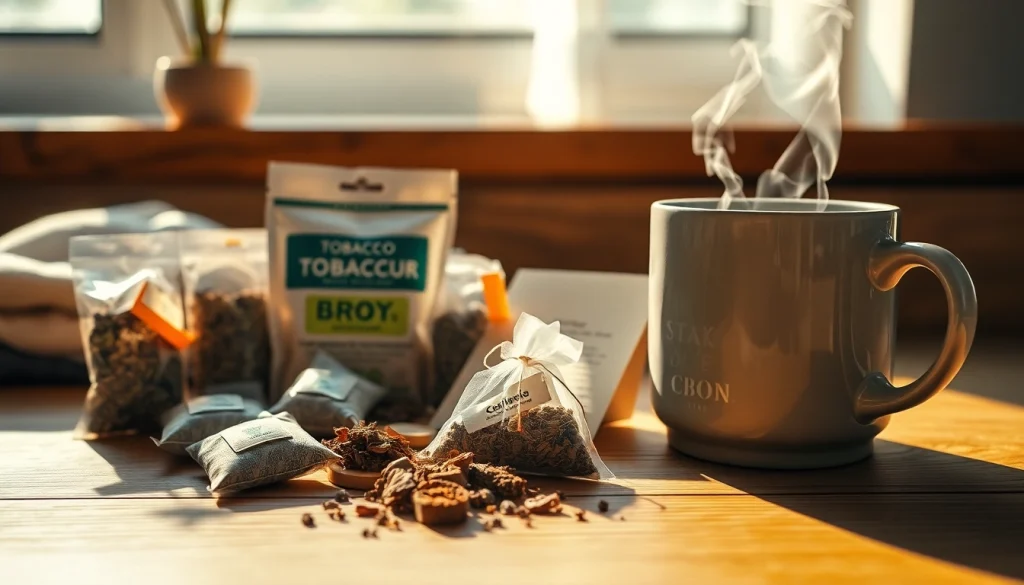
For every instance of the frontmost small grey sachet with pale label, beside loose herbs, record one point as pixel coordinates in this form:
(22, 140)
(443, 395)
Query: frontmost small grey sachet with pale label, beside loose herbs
(271, 449)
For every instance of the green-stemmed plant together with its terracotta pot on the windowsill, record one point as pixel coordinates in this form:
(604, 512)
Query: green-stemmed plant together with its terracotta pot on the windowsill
(197, 89)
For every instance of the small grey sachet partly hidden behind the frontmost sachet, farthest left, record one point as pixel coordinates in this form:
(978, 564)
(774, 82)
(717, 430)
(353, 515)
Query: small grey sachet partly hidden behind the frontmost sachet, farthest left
(202, 417)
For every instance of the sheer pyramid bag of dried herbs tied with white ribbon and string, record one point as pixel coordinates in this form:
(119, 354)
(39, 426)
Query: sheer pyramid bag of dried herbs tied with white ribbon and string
(520, 413)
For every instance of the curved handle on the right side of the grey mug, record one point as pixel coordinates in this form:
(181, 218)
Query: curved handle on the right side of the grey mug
(877, 397)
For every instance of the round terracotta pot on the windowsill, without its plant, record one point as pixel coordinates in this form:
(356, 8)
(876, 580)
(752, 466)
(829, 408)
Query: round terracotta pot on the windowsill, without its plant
(201, 95)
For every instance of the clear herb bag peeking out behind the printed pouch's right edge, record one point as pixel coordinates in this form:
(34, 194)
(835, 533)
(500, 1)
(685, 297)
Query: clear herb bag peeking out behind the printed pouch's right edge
(462, 318)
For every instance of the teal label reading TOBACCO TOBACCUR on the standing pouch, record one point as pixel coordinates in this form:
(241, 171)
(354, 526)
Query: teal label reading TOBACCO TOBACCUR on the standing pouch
(325, 262)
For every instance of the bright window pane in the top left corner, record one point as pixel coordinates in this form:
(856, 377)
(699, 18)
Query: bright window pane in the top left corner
(51, 17)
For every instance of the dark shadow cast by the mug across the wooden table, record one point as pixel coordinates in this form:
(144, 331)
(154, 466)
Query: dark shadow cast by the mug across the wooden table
(976, 530)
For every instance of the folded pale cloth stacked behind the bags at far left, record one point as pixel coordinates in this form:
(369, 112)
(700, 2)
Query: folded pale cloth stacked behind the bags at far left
(39, 327)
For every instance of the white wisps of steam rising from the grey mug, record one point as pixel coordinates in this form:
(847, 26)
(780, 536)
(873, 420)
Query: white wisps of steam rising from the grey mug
(800, 74)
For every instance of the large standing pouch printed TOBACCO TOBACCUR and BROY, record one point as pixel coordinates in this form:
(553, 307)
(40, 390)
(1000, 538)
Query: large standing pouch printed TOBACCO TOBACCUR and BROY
(357, 260)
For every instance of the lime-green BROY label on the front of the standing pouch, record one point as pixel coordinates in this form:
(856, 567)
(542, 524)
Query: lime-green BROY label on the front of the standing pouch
(357, 315)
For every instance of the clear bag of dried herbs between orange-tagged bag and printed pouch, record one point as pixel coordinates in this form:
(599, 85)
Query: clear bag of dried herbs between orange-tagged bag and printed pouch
(226, 292)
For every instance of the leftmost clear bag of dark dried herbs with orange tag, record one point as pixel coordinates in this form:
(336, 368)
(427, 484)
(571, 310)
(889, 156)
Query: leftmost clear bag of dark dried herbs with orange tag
(129, 292)
